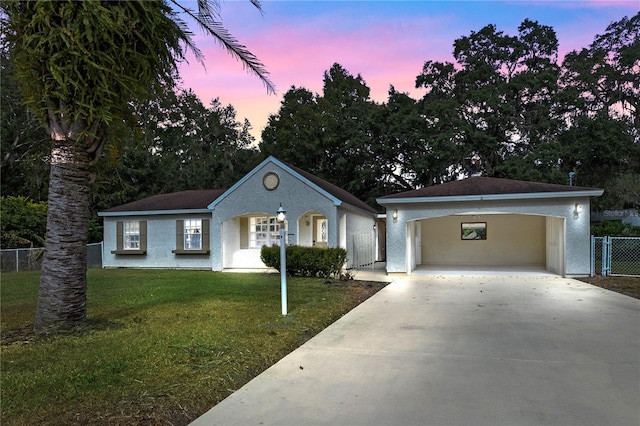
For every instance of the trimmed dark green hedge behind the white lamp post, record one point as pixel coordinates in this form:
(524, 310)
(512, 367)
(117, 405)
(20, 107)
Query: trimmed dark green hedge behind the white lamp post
(307, 261)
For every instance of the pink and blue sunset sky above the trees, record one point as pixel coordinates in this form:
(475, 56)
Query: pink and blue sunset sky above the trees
(386, 42)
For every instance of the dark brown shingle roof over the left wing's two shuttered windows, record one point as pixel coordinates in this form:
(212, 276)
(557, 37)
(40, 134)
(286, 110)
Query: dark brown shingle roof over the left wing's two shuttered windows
(184, 200)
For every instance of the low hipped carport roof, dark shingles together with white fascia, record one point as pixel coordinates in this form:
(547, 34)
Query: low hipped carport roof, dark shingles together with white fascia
(488, 188)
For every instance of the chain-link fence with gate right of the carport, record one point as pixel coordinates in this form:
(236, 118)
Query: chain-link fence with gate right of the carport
(615, 256)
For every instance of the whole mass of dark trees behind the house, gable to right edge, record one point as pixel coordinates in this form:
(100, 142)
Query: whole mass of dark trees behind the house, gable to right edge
(507, 99)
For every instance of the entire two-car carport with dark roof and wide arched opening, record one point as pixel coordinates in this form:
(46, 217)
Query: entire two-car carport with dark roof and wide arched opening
(489, 222)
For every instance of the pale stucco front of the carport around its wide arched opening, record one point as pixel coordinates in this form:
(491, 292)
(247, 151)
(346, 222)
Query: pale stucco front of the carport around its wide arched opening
(577, 242)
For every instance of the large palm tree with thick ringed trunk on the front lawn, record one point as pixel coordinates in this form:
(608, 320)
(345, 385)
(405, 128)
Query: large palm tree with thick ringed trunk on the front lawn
(81, 66)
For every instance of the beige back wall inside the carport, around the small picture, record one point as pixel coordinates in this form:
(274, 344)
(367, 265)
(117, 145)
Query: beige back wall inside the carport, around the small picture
(511, 240)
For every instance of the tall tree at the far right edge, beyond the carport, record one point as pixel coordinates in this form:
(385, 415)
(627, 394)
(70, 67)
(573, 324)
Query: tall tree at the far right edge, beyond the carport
(598, 103)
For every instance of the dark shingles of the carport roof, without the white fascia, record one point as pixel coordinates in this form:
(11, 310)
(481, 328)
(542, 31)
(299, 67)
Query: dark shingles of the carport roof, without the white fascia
(485, 186)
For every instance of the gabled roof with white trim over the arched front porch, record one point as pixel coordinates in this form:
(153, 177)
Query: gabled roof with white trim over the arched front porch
(331, 191)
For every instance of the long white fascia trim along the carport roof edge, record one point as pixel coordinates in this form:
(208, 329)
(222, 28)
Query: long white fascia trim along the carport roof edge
(491, 197)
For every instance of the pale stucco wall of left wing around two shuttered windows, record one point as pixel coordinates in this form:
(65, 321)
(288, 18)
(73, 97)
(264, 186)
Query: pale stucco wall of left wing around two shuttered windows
(161, 239)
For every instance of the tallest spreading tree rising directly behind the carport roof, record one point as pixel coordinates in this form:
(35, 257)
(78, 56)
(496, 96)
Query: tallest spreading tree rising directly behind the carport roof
(500, 93)
